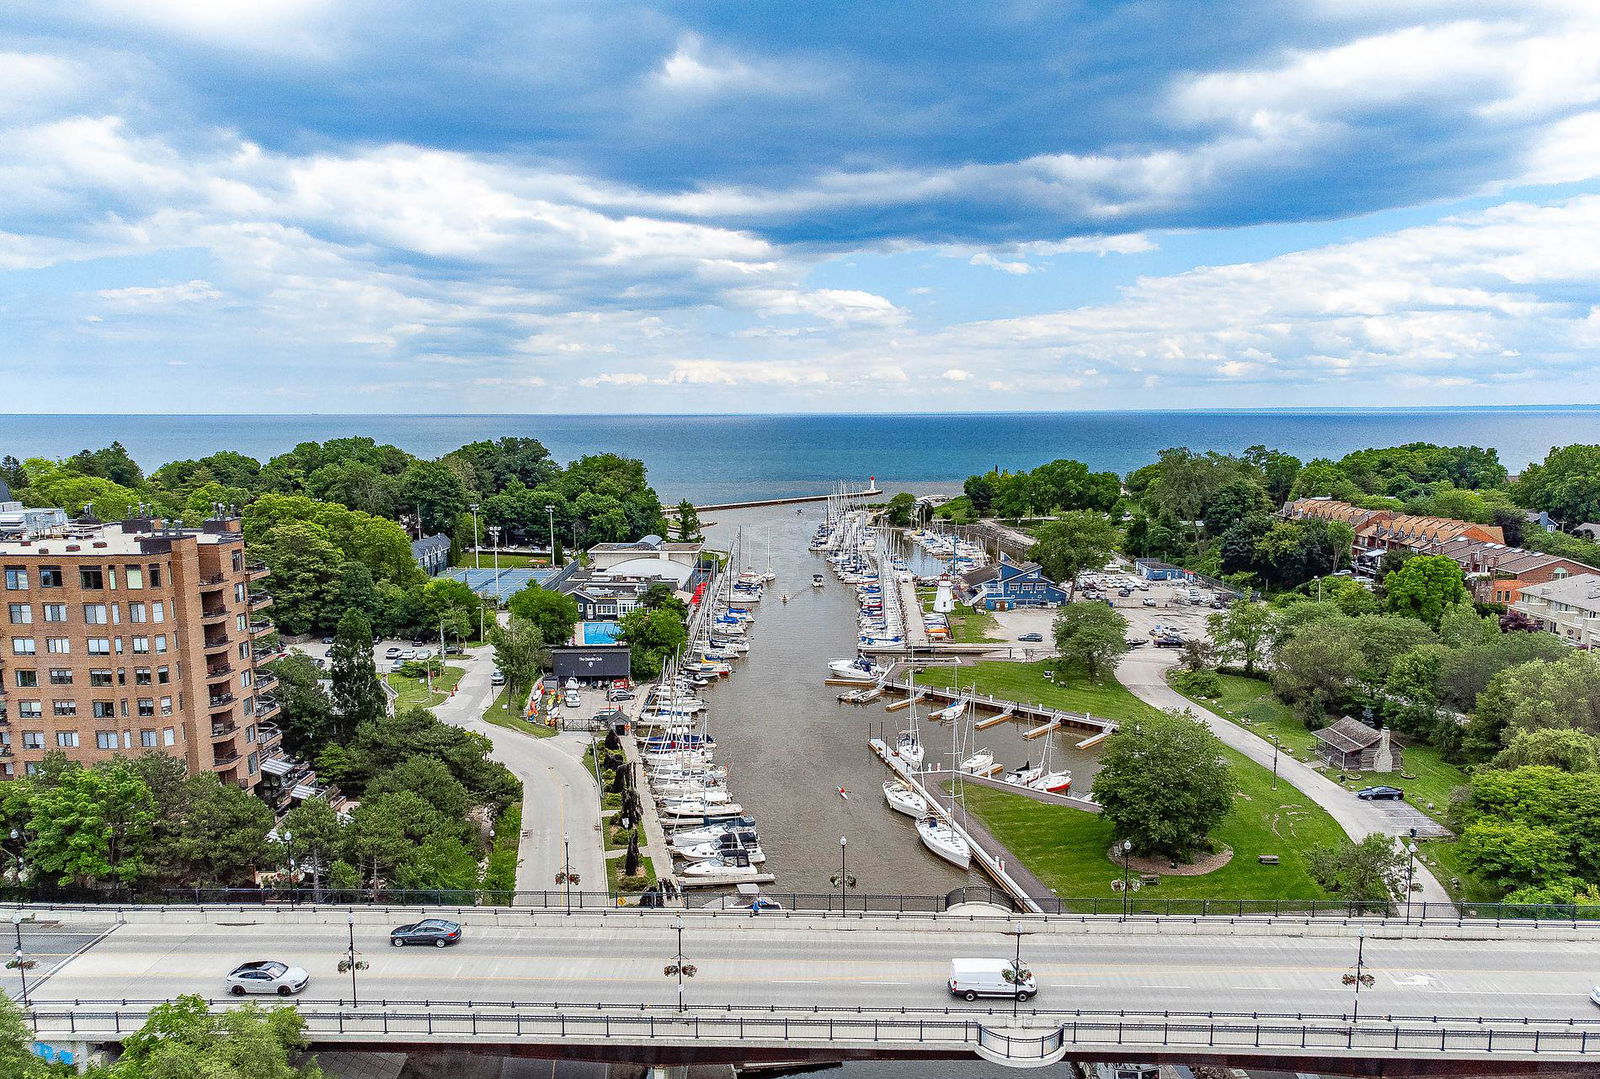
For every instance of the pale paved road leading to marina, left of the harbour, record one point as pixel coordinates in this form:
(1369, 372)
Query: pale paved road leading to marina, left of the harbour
(559, 795)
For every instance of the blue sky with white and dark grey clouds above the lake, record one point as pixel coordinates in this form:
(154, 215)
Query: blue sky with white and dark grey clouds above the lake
(543, 207)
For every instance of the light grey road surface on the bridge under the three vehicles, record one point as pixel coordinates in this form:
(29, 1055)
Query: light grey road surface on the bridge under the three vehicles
(798, 966)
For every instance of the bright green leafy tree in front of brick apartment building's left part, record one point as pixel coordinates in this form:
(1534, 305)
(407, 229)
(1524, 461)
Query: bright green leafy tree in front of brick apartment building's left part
(90, 825)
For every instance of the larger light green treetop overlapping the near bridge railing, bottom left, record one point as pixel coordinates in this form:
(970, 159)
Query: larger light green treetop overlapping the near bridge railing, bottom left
(183, 1040)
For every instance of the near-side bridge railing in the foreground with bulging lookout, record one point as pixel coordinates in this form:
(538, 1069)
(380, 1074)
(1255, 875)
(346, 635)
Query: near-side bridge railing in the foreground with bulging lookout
(1278, 1038)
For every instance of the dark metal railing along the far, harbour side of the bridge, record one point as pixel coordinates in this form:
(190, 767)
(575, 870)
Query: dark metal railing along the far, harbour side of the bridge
(828, 904)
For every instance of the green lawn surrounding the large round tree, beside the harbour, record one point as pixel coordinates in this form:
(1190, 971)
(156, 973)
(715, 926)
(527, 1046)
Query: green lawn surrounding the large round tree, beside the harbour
(1068, 849)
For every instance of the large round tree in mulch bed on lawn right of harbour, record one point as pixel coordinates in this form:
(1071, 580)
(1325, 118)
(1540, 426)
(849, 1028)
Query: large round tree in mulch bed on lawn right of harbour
(1164, 785)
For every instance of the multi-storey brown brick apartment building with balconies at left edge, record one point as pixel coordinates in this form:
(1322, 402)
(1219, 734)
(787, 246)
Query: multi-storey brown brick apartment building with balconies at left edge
(134, 636)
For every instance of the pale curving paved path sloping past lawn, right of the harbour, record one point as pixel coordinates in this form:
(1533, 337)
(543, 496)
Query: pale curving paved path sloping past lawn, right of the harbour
(1145, 673)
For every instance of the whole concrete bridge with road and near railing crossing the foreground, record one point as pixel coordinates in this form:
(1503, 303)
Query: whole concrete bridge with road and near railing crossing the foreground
(1471, 998)
